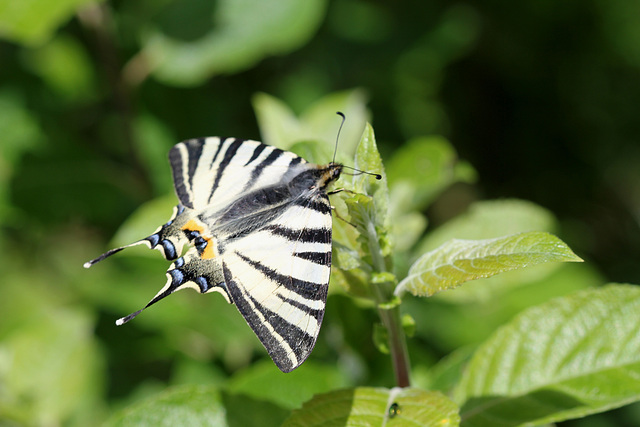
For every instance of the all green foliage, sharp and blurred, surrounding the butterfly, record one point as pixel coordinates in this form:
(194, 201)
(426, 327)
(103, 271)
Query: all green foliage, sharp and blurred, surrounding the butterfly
(93, 94)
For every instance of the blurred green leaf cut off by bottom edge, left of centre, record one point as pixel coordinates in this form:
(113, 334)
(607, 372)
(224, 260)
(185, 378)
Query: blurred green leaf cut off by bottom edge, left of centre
(189, 405)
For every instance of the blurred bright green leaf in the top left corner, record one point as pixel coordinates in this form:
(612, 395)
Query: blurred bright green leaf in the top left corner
(32, 22)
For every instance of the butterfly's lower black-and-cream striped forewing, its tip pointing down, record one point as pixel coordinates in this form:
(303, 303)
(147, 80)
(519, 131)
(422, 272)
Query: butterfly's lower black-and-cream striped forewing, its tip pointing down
(278, 277)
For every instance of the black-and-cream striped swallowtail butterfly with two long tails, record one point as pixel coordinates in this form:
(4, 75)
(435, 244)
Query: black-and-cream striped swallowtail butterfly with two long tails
(257, 221)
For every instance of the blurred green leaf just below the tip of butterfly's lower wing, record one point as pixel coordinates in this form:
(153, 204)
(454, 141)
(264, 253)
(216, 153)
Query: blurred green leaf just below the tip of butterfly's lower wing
(263, 381)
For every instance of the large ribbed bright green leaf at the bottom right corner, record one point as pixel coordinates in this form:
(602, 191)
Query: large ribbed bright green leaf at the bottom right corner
(570, 357)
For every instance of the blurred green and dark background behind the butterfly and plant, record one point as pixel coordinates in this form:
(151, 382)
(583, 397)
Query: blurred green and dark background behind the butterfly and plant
(541, 98)
